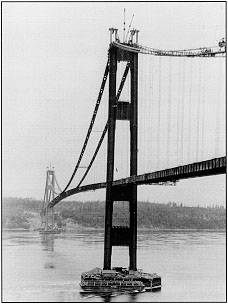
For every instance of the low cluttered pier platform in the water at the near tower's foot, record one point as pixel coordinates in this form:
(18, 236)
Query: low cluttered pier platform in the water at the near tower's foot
(119, 278)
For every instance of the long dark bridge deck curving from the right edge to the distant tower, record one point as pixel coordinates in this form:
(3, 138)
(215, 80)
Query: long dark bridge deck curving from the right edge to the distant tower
(204, 168)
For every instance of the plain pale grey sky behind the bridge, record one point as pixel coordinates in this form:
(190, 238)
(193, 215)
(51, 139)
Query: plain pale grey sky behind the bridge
(54, 56)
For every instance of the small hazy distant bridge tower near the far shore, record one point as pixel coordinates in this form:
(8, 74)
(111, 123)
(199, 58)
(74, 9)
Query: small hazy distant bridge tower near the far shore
(49, 195)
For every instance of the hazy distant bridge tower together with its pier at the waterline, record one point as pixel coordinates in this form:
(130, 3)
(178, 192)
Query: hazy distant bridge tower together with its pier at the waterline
(47, 213)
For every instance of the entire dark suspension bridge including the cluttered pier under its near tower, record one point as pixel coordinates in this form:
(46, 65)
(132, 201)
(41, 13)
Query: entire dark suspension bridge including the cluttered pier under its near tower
(125, 189)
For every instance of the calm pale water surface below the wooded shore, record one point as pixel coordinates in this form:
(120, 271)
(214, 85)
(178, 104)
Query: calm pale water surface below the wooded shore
(39, 268)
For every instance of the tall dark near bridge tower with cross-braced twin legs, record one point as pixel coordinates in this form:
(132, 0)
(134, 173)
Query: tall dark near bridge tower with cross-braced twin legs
(121, 110)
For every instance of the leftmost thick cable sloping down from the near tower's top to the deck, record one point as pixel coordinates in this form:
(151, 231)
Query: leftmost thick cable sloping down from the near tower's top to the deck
(91, 125)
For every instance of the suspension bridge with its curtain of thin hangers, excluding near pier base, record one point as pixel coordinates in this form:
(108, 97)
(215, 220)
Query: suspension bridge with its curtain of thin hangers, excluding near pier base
(183, 117)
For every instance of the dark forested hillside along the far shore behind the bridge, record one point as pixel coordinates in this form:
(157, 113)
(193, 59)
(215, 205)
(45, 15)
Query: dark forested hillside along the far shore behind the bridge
(21, 213)
